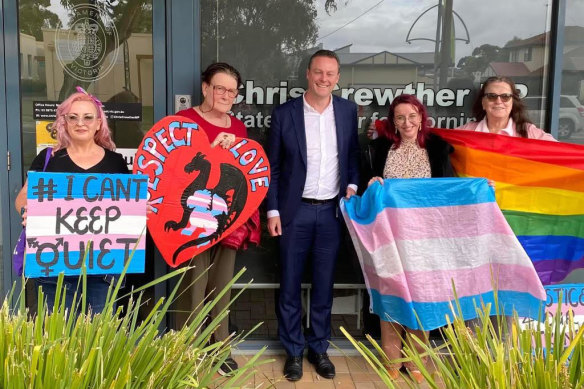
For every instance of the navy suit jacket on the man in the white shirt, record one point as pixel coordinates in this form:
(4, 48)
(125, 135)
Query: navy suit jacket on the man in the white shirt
(287, 153)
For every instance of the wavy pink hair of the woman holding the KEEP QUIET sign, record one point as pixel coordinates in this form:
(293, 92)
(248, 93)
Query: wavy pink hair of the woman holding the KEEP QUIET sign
(102, 136)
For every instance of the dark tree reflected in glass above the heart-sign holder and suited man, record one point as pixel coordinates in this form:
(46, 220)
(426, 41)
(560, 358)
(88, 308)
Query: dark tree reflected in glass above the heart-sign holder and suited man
(254, 36)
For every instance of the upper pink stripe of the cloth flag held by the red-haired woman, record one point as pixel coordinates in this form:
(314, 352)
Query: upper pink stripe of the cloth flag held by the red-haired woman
(428, 223)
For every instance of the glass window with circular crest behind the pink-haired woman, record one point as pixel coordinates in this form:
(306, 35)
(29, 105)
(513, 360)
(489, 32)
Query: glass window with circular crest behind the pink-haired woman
(104, 47)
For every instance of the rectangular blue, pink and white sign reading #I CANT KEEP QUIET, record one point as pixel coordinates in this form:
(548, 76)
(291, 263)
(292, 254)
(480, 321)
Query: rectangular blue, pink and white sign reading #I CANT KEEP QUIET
(99, 217)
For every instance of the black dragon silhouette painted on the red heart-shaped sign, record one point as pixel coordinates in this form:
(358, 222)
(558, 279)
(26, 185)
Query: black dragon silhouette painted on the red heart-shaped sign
(232, 187)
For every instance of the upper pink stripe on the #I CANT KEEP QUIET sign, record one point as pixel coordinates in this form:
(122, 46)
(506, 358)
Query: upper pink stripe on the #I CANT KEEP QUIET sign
(128, 208)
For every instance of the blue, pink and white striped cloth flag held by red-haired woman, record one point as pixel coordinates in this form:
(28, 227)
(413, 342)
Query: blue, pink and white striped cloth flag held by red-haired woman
(417, 238)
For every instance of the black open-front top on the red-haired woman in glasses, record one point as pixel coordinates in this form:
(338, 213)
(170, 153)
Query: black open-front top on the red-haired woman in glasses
(438, 153)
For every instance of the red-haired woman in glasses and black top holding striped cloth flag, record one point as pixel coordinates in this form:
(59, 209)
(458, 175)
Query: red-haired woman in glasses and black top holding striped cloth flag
(408, 150)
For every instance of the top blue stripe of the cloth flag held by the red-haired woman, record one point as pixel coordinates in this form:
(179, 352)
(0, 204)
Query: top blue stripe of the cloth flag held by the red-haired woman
(418, 193)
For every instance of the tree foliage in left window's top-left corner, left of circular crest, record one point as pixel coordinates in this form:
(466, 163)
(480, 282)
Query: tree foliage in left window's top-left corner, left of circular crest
(34, 16)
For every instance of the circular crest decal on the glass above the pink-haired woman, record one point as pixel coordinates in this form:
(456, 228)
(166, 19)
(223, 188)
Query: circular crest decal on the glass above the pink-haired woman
(88, 50)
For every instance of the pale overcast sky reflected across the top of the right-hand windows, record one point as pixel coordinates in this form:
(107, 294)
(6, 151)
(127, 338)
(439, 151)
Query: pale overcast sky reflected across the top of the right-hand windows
(374, 25)
